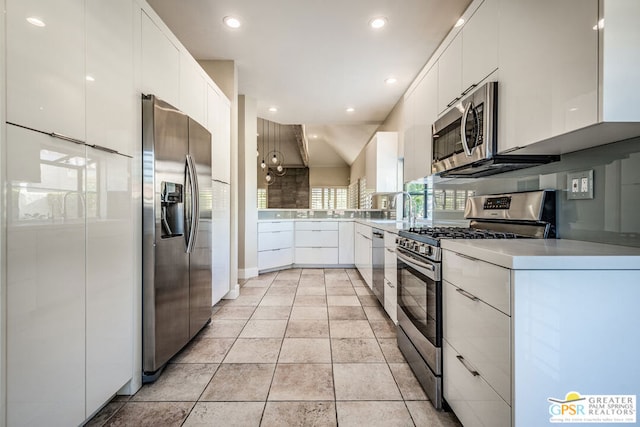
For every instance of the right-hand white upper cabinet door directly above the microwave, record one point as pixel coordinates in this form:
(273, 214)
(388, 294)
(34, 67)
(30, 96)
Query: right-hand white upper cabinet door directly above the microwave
(480, 45)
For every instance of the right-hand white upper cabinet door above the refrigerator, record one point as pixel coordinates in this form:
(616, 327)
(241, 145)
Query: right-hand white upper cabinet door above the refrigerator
(193, 94)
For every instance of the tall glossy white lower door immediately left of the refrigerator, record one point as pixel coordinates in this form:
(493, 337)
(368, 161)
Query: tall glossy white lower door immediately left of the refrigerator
(109, 276)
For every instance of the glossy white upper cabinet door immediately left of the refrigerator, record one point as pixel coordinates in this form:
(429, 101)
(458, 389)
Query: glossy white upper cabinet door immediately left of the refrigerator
(112, 101)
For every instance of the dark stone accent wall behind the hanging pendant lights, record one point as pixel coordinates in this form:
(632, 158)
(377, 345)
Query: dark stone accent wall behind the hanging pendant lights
(290, 191)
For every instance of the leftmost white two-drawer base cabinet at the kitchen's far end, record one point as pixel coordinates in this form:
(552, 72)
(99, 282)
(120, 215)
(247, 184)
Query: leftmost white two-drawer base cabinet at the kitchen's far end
(275, 244)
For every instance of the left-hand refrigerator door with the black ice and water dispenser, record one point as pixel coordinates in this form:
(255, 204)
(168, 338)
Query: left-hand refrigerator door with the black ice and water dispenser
(165, 261)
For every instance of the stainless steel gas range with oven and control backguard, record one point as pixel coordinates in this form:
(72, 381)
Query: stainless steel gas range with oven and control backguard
(502, 216)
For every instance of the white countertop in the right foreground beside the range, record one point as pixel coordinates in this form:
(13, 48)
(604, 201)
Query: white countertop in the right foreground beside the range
(548, 254)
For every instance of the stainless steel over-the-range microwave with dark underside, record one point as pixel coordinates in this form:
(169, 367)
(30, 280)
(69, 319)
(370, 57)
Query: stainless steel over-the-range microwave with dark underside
(465, 140)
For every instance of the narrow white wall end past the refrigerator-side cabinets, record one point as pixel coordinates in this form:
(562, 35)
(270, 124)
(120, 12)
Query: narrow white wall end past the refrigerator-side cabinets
(247, 184)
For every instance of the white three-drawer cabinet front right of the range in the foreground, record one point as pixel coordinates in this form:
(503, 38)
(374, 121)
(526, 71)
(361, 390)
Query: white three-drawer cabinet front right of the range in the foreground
(477, 340)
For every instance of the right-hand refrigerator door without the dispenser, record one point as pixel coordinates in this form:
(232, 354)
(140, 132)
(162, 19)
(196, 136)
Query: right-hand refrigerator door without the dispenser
(200, 261)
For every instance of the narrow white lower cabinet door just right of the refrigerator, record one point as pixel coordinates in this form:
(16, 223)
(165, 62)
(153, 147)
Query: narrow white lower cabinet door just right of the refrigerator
(221, 222)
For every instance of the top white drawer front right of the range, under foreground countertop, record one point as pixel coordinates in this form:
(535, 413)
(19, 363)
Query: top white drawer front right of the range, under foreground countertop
(487, 281)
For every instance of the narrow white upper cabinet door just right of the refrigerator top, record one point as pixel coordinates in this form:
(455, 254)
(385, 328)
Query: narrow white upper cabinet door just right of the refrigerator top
(219, 124)
